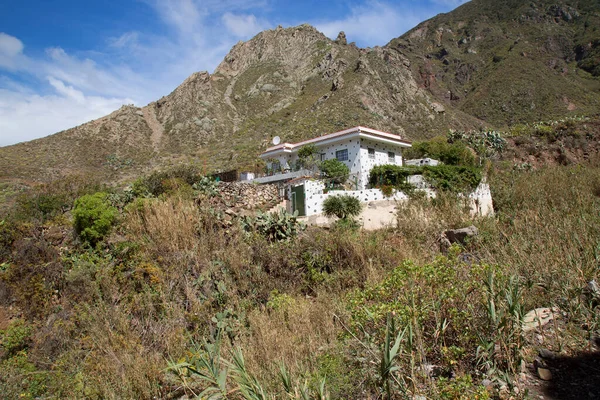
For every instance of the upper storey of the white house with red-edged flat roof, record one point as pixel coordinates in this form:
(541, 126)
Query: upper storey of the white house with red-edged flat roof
(360, 148)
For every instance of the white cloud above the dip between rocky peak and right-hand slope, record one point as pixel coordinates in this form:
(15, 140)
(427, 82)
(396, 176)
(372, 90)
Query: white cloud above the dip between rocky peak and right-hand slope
(374, 23)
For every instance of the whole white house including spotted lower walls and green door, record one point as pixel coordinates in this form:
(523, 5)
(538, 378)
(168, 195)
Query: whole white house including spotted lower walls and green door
(359, 148)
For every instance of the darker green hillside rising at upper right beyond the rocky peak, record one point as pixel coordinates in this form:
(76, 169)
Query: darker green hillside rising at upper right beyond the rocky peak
(511, 61)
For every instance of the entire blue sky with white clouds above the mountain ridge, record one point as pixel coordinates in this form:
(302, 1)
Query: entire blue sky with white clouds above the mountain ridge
(65, 62)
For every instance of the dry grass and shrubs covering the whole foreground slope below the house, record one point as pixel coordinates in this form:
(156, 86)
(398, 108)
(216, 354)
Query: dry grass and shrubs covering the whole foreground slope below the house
(366, 311)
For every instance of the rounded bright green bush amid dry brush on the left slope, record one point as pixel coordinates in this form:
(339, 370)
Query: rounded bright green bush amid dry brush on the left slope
(93, 217)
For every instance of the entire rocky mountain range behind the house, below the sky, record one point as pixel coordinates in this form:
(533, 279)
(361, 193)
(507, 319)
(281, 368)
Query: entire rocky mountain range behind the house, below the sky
(487, 63)
